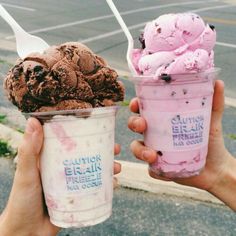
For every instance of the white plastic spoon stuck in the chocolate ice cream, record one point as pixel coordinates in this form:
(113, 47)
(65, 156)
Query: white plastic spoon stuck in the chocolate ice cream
(25, 42)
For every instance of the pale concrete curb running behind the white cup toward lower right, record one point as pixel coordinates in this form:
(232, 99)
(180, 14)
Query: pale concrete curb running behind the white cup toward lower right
(133, 175)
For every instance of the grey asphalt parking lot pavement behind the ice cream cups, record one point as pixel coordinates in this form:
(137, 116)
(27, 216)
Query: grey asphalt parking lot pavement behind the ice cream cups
(135, 212)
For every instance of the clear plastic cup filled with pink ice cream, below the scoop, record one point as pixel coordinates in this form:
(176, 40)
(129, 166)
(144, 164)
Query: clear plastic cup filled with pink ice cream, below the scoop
(177, 110)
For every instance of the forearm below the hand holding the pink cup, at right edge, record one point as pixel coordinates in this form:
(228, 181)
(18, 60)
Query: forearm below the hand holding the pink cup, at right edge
(225, 188)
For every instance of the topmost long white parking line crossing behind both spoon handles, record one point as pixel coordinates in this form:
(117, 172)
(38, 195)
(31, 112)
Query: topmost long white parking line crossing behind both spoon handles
(46, 29)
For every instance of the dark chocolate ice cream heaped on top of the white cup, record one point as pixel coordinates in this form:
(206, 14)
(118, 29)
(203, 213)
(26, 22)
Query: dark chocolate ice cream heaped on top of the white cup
(68, 76)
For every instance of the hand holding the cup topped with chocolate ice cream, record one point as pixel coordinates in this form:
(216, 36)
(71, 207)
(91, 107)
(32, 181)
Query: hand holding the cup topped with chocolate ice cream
(26, 213)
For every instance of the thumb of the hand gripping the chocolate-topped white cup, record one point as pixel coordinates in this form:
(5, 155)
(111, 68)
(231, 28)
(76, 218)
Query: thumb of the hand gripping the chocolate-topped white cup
(31, 145)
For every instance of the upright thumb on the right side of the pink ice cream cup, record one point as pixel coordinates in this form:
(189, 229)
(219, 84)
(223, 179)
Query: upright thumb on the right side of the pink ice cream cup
(217, 108)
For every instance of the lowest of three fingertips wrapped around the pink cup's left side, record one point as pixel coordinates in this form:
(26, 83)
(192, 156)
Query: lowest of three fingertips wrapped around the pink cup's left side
(142, 152)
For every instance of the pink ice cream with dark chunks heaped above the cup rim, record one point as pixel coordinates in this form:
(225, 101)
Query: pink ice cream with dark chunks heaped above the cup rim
(175, 44)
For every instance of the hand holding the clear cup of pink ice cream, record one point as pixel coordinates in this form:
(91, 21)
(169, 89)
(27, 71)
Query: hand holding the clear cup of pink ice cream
(218, 159)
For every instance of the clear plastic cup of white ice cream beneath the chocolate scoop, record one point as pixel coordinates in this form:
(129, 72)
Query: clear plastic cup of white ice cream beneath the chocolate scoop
(77, 165)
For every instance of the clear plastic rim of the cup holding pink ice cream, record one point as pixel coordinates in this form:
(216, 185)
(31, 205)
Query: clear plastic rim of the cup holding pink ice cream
(187, 77)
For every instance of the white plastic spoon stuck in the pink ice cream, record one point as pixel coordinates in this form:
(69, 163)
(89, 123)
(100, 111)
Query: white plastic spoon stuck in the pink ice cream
(127, 33)
